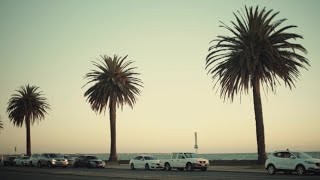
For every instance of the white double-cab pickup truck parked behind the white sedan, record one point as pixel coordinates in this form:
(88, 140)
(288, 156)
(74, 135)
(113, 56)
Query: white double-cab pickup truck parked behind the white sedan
(183, 160)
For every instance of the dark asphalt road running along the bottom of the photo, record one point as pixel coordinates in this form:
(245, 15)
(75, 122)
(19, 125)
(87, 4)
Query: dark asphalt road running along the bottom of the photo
(26, 173)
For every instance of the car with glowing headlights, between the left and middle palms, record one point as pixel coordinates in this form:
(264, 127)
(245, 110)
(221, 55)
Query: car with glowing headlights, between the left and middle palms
(52, 160)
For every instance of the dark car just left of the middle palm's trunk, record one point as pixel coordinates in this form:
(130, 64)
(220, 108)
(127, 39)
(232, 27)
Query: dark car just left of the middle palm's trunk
(89, 161)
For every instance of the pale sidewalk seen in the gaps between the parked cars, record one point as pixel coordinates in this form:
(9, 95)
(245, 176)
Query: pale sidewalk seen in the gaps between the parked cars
(250, 169)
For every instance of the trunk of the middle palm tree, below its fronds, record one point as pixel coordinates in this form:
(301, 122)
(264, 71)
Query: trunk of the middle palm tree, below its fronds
(113, 148)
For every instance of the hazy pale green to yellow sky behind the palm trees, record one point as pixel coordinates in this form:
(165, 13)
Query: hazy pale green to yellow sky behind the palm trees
(51, 44)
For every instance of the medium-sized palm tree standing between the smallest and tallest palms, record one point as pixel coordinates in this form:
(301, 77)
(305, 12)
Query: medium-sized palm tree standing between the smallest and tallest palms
(114, 85)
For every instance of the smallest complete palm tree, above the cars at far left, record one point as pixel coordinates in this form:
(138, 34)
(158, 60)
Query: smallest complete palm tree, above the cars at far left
(27, 107)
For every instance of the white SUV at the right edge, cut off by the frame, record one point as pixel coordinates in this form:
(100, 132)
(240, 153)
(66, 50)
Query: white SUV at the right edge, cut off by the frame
(288, 162)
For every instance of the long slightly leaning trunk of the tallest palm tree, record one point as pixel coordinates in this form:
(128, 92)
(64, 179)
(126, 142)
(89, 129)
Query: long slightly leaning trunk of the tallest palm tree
(259, 122)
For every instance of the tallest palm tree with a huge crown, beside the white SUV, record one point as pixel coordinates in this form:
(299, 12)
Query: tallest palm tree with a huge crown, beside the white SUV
(258, 53)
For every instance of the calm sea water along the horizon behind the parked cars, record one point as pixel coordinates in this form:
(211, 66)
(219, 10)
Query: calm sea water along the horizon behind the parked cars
(218, 156)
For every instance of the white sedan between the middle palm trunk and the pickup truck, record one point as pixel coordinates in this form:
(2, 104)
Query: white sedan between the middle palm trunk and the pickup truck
(145, 162)
